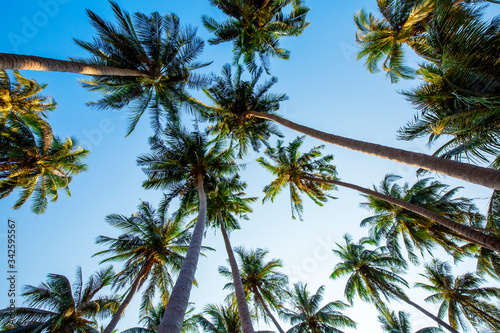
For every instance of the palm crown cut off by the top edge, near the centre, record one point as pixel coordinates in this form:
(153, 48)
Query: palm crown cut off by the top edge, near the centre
(256, 26)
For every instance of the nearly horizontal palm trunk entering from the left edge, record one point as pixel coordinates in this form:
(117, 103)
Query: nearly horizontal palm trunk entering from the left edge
(33, 63)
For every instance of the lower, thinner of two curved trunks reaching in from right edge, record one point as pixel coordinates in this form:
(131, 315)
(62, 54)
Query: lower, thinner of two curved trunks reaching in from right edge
(470, 234)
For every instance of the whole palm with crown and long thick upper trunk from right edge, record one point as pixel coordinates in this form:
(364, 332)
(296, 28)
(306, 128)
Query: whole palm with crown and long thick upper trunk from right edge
(234, 110)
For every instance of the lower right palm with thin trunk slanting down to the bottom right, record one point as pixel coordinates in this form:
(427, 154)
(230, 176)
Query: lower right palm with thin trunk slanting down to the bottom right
(372, 274)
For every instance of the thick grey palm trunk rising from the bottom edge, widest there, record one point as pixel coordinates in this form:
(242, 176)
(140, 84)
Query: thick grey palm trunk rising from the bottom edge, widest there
(179, 299)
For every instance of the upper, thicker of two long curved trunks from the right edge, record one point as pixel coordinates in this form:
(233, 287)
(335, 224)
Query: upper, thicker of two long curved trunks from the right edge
(470, 173)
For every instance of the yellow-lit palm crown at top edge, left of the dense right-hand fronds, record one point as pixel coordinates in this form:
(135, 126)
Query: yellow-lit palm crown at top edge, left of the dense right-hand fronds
(382, 40)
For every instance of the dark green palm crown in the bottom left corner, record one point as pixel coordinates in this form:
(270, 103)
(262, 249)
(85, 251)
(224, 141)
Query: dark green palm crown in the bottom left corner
(58, 306)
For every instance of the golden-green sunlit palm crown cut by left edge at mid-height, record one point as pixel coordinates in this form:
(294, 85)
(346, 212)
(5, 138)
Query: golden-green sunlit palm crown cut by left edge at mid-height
(37, 162)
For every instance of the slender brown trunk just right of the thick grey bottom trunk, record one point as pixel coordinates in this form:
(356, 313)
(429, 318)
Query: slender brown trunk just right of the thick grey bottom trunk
(244, 312)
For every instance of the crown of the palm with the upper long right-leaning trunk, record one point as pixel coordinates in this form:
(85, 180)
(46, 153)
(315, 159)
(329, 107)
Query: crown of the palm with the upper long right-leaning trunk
(232, 97)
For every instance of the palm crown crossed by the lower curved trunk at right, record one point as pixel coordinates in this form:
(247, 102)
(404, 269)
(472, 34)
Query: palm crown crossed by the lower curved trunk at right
(397, 225)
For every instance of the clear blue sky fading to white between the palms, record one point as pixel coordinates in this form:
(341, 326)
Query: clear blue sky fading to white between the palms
(328, 90)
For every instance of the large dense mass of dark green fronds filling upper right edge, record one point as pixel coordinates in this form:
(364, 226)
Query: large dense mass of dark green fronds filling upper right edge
(459, 96)
